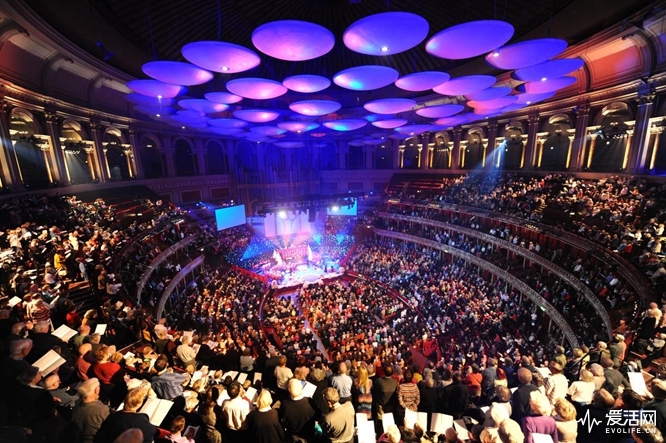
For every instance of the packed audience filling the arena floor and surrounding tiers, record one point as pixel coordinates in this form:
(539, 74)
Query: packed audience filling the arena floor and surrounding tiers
(337, 353)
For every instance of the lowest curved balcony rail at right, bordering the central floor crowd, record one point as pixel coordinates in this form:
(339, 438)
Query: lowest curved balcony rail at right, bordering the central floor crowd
(530, 293)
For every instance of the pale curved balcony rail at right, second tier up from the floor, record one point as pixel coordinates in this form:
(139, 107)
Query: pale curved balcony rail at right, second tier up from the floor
(532, 256)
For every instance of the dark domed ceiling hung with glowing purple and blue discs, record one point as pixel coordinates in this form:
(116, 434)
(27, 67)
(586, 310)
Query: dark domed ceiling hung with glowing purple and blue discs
(320, 61)
